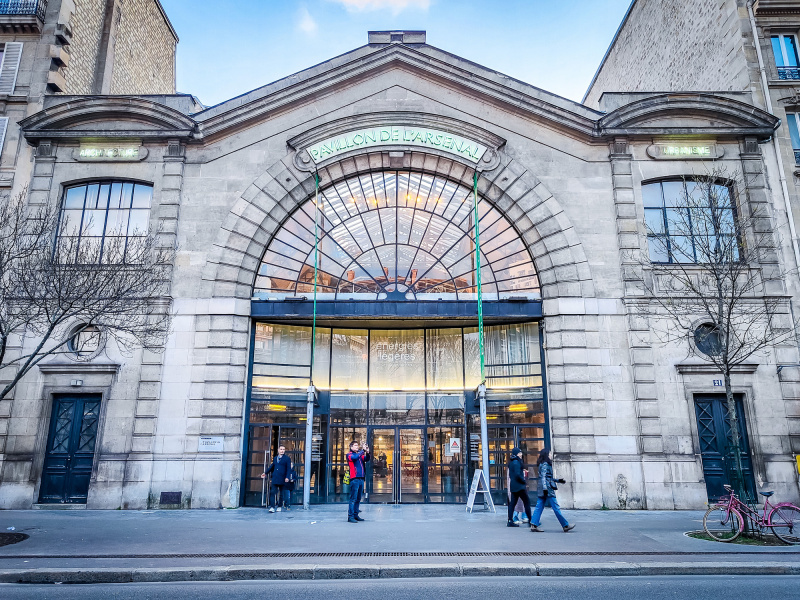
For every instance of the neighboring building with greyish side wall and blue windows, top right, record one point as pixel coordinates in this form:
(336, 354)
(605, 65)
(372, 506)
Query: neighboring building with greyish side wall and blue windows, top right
(709, 45)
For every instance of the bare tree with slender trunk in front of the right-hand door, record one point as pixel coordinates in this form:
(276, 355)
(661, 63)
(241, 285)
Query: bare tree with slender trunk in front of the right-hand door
(713, 274)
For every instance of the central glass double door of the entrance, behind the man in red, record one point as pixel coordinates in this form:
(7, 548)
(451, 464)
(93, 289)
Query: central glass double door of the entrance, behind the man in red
(398, 465)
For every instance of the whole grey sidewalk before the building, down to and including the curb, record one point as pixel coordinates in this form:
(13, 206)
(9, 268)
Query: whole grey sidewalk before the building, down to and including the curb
(438, 539)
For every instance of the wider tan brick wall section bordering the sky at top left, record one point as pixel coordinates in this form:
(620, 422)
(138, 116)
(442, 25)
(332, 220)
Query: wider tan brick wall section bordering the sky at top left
(144, 58)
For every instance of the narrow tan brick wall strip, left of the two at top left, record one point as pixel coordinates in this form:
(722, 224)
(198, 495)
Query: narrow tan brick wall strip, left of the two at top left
(87, 28)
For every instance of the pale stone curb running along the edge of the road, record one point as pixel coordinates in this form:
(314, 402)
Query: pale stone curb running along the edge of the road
(327, 572)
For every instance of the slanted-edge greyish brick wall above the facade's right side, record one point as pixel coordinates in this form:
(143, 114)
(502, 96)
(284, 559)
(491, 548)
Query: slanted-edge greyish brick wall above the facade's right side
(667, 45)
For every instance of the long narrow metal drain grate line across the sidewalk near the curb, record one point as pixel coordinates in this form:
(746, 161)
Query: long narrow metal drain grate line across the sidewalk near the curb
(382, 554)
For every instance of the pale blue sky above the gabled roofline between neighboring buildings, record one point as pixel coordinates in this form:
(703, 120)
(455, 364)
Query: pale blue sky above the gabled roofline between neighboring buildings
(228, 47)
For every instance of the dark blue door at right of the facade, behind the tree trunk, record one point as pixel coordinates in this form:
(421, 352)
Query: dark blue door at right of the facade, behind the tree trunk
(714, 430)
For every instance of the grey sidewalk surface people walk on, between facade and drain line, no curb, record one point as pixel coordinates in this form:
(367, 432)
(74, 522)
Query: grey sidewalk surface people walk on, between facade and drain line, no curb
(324, 529)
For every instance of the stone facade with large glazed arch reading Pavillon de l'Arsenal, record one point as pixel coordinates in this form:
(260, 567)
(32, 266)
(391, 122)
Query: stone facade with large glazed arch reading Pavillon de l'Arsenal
(396, 138)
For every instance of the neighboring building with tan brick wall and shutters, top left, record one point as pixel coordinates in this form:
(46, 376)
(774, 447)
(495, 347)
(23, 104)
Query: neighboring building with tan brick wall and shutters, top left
(76, 47)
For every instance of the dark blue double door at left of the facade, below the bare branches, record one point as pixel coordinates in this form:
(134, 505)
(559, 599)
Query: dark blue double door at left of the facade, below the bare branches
(70, 449)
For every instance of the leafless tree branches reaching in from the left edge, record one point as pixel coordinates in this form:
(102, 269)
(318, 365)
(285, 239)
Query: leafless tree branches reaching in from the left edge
(62, 290)
